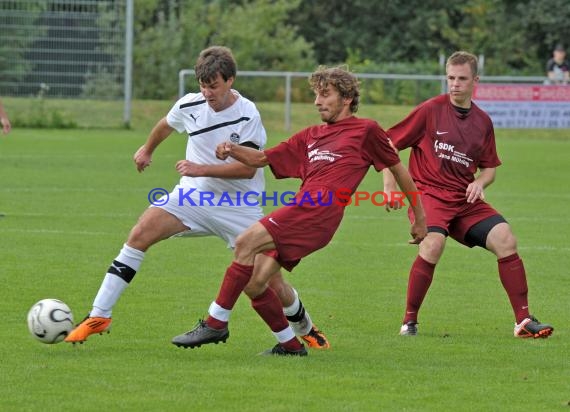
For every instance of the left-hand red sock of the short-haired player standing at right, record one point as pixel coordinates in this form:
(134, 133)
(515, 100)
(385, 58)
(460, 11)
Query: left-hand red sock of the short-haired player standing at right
(421, 275)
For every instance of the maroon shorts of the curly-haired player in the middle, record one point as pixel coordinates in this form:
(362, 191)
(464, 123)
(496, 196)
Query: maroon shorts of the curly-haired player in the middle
(299, 230)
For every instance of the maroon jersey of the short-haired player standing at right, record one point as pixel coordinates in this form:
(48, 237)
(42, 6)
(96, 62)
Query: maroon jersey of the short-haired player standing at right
(447, 146)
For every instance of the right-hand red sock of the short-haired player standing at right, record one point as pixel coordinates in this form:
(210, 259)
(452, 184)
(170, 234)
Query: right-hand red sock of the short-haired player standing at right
(513, 278)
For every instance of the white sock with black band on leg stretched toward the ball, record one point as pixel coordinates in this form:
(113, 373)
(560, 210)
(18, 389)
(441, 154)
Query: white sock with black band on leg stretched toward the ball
(113, 285)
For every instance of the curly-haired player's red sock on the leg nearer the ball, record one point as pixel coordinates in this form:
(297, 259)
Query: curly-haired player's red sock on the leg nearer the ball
(235, 279)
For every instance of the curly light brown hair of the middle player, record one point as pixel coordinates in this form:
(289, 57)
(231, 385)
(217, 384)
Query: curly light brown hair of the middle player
(341, 79)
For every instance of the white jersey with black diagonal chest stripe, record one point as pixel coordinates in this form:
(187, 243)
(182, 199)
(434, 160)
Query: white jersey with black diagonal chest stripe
(206, 128)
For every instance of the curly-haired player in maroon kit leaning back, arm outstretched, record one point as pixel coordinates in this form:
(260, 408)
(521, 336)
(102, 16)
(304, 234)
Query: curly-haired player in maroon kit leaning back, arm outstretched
(328, 158)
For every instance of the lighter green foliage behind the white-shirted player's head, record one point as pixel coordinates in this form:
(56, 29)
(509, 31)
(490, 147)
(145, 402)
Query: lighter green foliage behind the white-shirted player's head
(256, 30)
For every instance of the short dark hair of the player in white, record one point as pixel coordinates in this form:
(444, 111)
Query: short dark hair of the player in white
(214, 60)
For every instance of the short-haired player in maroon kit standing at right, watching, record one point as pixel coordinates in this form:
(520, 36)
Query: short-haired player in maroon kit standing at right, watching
(451, 138)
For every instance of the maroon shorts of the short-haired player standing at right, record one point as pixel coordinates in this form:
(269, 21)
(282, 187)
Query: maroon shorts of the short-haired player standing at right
(451, 213)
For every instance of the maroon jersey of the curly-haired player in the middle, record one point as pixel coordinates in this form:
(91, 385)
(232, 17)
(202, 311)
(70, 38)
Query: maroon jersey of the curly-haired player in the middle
(334, 156)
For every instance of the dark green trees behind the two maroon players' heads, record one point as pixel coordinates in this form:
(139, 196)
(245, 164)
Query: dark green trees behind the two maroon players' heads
(516, 36)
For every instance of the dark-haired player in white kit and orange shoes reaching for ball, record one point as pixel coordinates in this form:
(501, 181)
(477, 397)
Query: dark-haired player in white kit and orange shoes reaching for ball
(208, 199)
